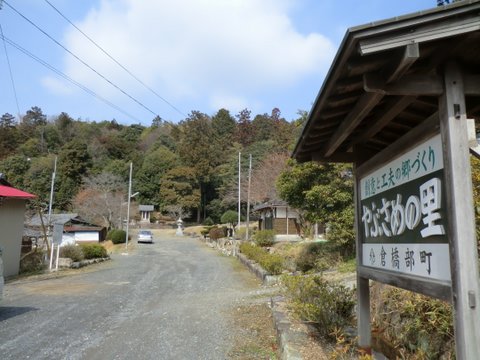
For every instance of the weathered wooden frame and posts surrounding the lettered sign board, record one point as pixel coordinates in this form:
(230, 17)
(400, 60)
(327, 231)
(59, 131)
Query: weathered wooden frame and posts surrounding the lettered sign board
(463, 290)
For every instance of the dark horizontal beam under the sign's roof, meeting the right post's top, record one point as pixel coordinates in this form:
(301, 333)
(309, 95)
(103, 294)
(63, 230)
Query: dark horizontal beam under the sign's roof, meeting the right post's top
(413, 85)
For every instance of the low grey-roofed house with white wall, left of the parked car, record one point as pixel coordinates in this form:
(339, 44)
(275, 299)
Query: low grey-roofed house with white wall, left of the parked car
(75, 229)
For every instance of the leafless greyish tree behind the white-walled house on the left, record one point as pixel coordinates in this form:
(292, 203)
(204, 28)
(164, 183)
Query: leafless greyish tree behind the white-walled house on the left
(101, 199)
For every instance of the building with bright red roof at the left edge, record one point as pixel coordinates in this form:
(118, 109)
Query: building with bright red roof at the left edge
(12, 216)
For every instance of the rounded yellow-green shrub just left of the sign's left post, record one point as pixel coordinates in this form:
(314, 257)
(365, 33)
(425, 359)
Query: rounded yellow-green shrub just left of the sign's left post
(326, 304)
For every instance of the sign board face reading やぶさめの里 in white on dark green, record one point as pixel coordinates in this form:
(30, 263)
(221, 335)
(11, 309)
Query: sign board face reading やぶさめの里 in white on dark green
(403, 219)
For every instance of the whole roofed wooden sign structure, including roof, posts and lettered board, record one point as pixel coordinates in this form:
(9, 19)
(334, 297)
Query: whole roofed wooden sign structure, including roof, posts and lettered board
(393, 86)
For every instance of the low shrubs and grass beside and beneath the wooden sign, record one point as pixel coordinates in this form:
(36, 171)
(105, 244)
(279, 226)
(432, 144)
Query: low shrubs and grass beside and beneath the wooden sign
(405, 325)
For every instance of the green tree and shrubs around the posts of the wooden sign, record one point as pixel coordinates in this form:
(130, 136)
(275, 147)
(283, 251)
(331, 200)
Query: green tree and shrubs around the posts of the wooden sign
(405, 324)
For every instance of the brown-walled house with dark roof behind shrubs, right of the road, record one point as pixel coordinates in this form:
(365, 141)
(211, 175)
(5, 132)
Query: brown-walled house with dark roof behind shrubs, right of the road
(278, 216)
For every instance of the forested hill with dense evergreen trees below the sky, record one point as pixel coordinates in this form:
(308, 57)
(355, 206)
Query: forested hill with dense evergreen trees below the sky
(191, 166)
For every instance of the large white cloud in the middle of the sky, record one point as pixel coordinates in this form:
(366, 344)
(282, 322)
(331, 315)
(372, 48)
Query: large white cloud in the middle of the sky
(210, 51)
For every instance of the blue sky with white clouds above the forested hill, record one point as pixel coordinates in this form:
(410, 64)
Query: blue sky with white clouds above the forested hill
(195, 54)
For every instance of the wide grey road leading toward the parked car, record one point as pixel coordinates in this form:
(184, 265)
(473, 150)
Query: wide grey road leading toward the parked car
(168, 300)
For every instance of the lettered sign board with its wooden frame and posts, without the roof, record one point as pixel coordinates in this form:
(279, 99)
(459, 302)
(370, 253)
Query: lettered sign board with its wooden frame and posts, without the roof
(415, 218)
